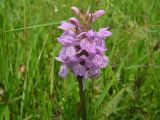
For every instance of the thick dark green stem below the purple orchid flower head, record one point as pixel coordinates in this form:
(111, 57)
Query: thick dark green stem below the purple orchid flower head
(82, 98)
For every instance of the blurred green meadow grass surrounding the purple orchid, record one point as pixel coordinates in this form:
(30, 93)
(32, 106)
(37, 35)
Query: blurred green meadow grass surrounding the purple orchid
(128, 89)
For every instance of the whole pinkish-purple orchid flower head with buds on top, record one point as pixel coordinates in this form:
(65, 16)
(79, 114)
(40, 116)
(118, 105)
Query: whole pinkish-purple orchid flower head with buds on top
(83, 49)
